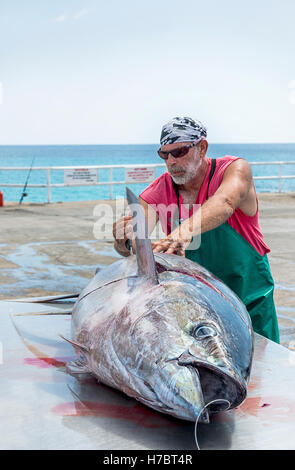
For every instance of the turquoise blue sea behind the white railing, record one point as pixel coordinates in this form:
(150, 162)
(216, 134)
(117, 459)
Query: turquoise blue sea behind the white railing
(86, 155)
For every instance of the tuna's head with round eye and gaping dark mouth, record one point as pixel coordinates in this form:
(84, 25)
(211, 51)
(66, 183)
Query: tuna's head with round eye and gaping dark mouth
(195, 348)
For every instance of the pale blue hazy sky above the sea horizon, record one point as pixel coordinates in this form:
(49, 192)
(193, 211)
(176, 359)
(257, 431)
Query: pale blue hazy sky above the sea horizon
(112, 72)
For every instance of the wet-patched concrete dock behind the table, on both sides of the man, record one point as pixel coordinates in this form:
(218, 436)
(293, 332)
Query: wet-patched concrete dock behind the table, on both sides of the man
(48, 249)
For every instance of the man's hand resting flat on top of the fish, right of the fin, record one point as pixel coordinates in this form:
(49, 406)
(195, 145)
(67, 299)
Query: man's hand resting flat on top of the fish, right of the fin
(177, 241)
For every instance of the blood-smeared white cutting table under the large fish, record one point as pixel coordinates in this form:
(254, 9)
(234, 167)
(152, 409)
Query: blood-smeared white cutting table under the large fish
(42, 407)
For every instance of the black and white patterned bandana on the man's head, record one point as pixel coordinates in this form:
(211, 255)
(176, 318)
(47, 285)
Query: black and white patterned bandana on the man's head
(182, 129)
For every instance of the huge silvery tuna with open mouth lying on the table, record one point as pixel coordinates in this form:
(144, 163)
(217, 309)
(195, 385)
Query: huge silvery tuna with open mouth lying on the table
(165, 331)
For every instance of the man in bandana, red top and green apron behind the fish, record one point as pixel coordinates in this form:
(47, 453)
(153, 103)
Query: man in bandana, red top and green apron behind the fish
(232, 245)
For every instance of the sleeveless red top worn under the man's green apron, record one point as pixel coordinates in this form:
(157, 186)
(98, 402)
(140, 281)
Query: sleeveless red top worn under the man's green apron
(160, 194)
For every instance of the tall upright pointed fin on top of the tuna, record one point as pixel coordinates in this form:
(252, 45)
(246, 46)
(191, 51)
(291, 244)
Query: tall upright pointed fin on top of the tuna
(144, 251)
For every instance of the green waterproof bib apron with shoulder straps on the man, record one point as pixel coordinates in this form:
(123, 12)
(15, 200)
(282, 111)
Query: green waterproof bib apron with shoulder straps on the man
(228, 256)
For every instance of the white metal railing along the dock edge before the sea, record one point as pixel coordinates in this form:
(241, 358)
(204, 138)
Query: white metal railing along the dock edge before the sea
(111, 183)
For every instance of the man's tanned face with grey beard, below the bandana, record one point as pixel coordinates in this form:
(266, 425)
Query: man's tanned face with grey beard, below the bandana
(185, 168)
